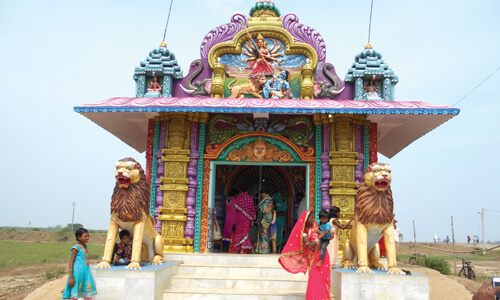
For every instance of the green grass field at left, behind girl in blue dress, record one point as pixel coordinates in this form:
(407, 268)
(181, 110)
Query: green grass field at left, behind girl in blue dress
(16, 253)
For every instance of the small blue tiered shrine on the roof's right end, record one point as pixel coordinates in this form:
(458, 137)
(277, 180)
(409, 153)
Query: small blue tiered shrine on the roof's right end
(372, 77)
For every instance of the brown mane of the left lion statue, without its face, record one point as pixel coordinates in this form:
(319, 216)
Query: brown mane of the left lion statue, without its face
(130, 203)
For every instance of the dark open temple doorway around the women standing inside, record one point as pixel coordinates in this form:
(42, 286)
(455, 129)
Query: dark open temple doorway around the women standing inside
(289, 181)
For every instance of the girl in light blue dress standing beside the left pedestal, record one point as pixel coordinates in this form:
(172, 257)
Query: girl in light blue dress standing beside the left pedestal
(80, 283)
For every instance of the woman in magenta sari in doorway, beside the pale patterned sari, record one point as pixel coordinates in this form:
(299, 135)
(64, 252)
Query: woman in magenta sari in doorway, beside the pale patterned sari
(245, 213)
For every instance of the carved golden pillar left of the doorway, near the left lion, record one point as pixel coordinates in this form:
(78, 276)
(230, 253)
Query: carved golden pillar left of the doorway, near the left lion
(174, 184)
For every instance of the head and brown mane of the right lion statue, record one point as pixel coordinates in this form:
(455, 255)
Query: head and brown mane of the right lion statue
(374, 203)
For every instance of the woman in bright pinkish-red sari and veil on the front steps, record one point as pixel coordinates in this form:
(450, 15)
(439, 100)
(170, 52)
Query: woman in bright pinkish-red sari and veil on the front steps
(301, 254)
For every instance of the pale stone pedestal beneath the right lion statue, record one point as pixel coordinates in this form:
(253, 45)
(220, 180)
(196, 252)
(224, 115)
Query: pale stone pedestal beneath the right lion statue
(347, 284)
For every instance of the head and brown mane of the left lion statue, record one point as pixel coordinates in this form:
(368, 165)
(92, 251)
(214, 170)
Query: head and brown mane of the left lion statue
(132, 191)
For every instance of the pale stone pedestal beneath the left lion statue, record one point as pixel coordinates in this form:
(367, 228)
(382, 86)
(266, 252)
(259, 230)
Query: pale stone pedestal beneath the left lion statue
(147, 283)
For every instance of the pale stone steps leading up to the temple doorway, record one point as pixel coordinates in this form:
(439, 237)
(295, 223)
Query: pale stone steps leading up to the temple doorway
(233, 276)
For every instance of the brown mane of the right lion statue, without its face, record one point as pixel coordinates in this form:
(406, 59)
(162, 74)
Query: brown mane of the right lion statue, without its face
(373, 206)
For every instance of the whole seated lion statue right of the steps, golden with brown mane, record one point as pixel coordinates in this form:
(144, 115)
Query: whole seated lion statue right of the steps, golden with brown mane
(373, 218)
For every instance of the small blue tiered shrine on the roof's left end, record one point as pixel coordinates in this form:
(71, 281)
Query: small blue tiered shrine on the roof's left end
(154, 77)
